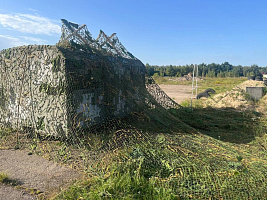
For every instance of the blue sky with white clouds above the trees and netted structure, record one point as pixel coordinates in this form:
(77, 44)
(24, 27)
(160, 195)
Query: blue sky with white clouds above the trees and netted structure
(176, 32)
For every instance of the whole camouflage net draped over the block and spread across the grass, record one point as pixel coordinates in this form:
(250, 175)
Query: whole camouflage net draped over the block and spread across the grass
(114, 124)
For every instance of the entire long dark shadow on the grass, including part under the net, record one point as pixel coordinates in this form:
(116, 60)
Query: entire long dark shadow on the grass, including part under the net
(228, 124)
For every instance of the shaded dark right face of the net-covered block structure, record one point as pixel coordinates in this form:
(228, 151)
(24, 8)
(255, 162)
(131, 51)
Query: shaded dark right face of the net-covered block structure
(101, 88)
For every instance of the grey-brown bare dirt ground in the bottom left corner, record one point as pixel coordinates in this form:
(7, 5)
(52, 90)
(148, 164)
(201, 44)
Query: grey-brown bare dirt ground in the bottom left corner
(32, 175)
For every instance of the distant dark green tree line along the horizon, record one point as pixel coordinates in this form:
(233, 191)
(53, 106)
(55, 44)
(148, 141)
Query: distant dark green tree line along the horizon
(207, 70)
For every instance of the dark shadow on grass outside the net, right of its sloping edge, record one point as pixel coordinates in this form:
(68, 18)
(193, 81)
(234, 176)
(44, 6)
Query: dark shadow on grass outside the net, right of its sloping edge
(228, 124)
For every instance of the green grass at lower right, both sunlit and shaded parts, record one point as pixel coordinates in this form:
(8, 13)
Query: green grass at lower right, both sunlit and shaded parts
(220, 157)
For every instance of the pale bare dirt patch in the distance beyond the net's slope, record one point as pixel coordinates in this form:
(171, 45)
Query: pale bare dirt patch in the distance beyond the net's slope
(178, 93)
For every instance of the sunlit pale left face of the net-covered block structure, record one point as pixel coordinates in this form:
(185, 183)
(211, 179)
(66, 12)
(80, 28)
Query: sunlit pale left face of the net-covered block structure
(31, 84)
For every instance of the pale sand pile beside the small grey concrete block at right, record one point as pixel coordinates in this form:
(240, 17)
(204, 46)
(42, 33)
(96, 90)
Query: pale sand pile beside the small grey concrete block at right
(236, 98)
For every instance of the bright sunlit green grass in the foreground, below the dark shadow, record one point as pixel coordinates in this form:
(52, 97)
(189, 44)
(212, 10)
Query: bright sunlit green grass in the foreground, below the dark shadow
(168, 171)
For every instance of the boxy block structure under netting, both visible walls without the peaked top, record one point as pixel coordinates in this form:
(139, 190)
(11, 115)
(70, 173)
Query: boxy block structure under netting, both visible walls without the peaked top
(57, 91)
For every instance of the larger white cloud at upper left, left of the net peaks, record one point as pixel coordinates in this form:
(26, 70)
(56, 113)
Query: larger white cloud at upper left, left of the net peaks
(27, 23)
